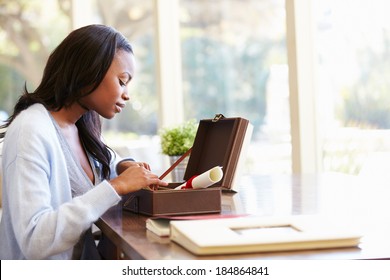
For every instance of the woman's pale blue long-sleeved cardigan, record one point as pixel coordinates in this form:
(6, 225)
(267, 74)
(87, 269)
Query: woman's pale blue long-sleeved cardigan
(40, 219)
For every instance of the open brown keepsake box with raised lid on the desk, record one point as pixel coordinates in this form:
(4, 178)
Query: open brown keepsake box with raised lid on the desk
(218, 142)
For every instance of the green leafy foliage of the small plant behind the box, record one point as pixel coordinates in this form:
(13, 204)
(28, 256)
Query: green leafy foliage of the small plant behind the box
(179, 139)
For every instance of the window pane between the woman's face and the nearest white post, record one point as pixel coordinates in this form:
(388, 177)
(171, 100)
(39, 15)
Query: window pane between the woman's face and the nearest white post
(132, 132)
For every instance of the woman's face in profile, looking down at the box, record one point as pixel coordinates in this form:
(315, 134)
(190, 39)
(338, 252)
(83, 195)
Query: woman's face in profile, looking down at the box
(111, 95)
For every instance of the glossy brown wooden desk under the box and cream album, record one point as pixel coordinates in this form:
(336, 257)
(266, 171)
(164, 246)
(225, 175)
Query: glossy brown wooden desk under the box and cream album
(331, 195)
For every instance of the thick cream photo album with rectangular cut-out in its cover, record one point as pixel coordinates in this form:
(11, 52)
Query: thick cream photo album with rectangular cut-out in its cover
(260, 234)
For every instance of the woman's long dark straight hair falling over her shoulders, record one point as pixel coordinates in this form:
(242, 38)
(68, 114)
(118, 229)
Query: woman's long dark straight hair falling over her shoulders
(75, 69)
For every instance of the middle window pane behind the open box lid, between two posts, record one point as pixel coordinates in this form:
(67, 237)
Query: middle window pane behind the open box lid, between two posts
(235, 62)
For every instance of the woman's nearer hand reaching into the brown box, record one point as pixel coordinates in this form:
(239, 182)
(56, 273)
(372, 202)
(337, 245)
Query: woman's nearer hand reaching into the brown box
(134, 176)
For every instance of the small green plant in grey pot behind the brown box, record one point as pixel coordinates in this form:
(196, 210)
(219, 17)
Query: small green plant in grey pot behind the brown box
(175, 141)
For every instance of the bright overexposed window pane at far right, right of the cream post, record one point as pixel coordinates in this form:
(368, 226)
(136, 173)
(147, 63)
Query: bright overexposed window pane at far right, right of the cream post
(353, 68)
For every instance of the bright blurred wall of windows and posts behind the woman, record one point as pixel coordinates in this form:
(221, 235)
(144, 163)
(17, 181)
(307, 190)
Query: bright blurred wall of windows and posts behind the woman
(312, 76)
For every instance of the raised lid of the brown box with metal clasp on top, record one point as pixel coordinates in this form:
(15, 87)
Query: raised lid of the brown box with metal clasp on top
(220, 142)
